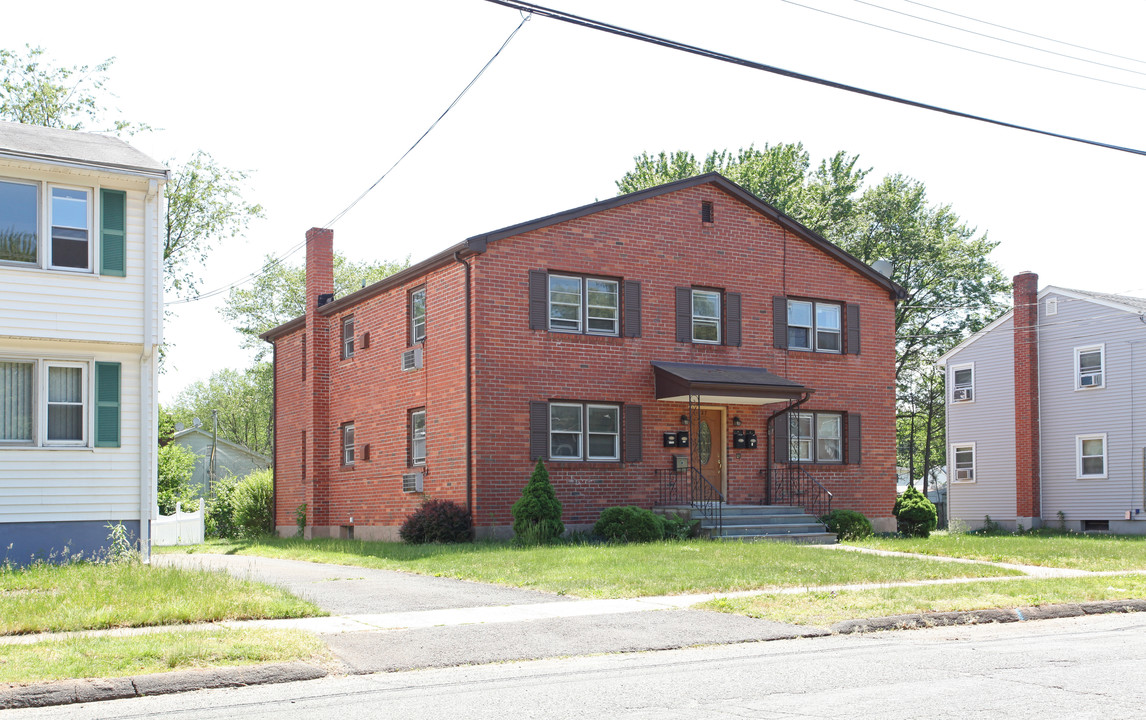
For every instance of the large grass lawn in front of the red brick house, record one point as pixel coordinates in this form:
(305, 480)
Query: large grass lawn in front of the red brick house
(617, 570)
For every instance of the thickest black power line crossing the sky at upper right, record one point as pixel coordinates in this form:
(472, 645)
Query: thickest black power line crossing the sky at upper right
(634, 35)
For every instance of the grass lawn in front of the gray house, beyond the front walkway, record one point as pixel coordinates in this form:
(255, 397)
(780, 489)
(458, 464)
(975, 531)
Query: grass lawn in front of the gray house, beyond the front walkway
(1050, 549)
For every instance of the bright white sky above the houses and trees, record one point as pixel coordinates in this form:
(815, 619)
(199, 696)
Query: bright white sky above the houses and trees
(319, 100)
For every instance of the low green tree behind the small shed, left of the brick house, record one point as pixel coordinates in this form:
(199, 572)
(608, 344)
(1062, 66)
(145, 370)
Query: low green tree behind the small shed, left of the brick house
(245, 402)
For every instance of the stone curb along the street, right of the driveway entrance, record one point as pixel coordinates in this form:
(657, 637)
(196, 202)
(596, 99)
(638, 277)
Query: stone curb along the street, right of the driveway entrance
(979, 617)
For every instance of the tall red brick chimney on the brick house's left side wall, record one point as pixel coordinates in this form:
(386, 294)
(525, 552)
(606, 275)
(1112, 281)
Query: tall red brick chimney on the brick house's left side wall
(320, 436)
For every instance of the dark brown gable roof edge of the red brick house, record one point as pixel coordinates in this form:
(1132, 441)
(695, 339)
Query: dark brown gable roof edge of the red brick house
(477, 245)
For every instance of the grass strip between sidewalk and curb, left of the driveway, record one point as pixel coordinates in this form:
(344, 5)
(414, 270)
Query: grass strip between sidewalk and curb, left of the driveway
(154, 653)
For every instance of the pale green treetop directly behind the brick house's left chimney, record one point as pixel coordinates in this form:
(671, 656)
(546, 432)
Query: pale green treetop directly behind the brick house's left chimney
(279, 294)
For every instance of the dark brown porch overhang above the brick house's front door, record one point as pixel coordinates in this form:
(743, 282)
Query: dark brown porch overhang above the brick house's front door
(724, 385)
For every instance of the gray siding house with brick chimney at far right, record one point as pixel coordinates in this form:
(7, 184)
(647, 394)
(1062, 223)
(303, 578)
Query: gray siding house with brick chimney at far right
(1047, 414)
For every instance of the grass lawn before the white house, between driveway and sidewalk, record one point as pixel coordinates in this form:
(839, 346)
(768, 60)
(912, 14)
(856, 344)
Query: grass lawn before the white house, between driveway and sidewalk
(80, 597)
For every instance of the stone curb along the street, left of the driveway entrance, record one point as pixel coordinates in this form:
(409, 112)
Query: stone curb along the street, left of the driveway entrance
(68, 692)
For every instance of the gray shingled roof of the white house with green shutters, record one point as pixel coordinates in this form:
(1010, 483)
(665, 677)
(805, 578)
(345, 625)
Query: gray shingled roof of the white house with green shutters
(69, 147)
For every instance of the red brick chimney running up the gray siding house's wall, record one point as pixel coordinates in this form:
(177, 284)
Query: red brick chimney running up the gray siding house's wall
(1027, 492)
